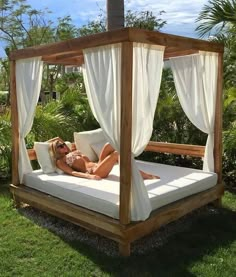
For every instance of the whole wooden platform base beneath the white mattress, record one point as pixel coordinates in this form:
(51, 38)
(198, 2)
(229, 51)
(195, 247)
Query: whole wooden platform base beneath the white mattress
(108, 227)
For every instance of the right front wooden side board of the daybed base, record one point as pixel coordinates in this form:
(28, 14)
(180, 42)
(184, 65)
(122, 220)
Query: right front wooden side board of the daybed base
(172, 212)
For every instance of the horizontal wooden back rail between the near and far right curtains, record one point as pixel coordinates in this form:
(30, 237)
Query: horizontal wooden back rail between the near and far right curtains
(174, 148)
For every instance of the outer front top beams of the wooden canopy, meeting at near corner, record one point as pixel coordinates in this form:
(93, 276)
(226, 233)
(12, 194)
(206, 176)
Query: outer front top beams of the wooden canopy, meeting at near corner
(116, 36)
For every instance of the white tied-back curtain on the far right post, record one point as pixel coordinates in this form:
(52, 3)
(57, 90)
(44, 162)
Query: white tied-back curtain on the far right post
(195, 79)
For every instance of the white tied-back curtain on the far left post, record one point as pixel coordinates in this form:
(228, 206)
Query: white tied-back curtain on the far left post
(28, 84)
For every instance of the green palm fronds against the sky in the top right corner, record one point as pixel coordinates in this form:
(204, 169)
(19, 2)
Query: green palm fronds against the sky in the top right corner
(217, 16)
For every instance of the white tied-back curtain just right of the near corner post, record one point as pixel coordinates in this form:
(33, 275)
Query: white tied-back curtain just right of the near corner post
(147, 73)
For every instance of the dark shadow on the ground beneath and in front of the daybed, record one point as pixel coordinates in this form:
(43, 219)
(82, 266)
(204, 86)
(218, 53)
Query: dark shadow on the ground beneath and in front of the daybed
(168, 252)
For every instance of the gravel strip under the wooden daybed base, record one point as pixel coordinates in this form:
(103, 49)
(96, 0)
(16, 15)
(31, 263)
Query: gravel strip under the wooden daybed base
(70, 232)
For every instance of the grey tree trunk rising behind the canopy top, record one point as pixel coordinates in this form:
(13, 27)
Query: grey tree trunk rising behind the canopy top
(115, 14)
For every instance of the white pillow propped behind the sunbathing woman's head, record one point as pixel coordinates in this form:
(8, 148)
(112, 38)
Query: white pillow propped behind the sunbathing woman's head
(44, 159)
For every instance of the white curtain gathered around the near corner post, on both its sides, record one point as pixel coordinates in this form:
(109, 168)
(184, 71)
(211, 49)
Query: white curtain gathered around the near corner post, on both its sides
(102, 75)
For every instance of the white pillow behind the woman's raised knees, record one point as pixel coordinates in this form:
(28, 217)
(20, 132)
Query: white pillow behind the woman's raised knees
(84, 140)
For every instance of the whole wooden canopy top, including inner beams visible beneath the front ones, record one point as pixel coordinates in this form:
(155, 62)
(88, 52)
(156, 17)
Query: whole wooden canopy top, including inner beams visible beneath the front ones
(67, 52)
